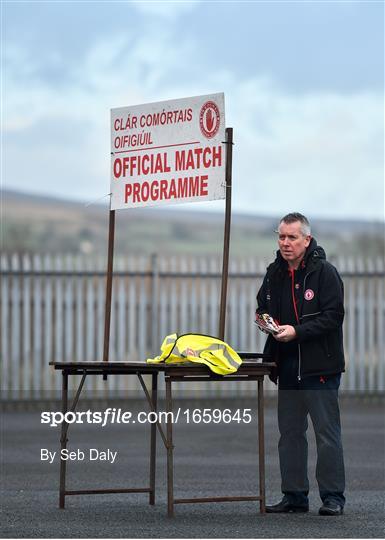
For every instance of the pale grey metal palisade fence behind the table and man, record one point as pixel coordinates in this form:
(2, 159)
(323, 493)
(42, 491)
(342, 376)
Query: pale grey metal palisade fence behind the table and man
(53, 309)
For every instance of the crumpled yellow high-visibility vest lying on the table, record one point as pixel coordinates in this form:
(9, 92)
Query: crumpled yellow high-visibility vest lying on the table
(200, 349)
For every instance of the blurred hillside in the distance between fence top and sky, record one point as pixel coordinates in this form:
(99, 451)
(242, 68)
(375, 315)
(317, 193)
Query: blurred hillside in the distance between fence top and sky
(32, 223)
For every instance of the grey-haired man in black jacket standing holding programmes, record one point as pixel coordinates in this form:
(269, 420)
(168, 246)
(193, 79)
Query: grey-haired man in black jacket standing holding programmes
(304, 293)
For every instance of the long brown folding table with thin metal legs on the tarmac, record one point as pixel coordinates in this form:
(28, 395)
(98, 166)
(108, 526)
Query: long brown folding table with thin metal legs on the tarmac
(248, 371)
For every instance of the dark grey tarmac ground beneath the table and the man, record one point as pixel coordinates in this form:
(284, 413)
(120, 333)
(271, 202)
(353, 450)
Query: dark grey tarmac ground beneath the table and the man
(209, 460)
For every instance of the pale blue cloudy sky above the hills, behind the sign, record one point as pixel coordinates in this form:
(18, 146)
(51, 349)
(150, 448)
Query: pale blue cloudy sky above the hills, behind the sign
(303, 83)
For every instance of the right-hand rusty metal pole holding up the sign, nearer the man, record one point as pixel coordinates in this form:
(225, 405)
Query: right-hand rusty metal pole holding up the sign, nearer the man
(226, 242)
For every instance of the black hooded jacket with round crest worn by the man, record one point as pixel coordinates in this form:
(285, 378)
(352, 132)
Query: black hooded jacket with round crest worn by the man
(320, 310)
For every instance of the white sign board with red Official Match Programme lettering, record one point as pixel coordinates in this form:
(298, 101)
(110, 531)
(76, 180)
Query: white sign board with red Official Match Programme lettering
(168, 152)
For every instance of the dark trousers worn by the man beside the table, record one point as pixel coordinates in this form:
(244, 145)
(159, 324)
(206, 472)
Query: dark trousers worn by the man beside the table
(296, 401)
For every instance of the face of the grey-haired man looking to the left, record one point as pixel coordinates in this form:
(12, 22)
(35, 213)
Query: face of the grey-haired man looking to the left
(292, 243)
